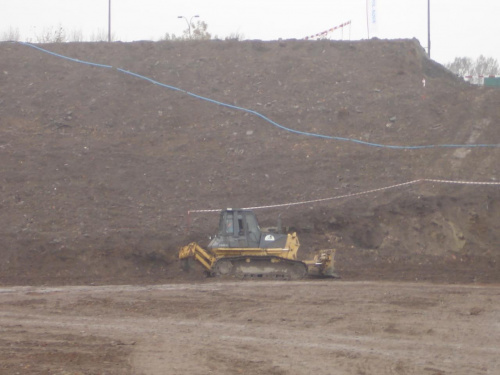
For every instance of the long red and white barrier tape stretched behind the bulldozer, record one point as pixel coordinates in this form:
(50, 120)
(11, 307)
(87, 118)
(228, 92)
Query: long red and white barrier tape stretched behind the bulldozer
(350, 195)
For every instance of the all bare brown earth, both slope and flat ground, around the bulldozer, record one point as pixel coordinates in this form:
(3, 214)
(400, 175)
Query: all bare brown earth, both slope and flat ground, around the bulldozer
(103, 168)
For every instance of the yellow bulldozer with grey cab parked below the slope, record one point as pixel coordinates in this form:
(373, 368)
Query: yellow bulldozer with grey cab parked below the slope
(242, 249)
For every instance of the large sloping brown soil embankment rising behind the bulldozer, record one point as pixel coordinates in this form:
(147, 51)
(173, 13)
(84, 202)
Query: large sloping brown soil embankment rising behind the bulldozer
(100, 167)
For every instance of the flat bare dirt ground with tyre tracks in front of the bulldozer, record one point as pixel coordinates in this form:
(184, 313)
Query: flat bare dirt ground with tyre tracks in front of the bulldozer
(320, 327)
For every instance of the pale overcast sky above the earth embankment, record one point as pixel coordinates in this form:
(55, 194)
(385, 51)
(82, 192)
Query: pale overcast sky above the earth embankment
(458, 27)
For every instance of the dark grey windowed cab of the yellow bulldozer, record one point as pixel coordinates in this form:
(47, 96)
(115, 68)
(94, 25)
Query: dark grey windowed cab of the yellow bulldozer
(238, 228)
